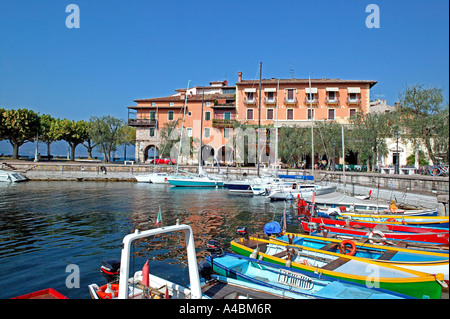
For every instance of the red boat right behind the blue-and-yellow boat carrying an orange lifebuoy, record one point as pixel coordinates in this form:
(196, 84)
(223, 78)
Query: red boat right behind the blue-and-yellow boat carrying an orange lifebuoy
(369, 230)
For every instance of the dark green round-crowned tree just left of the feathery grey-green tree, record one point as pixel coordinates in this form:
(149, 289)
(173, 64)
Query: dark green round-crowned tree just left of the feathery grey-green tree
(74, 133)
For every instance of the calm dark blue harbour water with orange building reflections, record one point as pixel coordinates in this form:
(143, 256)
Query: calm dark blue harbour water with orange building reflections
(46, 226)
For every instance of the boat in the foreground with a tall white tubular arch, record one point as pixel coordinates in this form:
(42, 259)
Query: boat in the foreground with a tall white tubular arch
(144, 285)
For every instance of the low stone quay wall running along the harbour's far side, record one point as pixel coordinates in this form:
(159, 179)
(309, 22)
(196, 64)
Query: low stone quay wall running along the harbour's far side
(412, 190)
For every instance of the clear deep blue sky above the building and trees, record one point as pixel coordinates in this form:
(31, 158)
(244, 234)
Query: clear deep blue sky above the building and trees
(125, 50)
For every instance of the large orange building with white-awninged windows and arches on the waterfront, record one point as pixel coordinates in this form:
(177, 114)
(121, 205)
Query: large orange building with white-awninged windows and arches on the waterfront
(224, 106)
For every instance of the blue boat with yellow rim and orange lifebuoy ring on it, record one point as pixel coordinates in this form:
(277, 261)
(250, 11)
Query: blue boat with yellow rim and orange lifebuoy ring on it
(424, 261)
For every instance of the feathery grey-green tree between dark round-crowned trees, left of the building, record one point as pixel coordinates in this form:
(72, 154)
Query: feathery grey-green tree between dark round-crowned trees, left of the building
(105, 132)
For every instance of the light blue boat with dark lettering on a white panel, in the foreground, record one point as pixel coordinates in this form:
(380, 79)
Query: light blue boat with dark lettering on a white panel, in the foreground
(292, 281)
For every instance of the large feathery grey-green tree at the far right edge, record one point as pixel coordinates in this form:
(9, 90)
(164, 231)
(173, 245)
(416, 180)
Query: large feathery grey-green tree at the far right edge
(425, 118)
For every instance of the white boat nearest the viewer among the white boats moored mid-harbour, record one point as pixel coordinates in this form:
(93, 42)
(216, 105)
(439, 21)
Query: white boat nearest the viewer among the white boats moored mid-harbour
(282, 191)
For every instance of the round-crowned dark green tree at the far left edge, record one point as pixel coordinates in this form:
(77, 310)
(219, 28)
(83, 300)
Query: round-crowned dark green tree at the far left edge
(19, 126)
